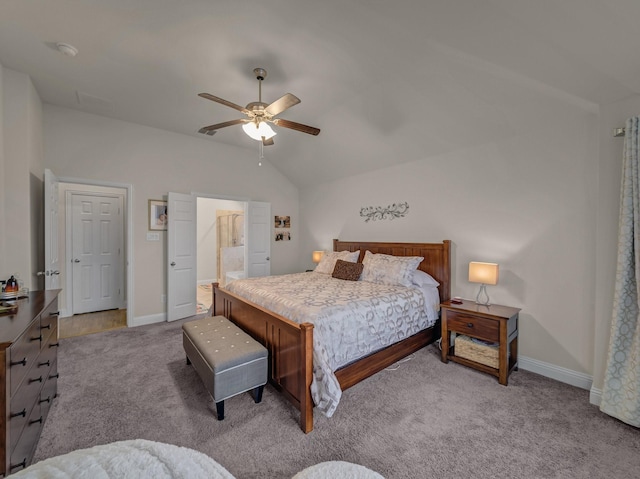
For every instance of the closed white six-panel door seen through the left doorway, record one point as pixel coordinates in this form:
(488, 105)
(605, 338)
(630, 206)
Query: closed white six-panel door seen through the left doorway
(97, 252)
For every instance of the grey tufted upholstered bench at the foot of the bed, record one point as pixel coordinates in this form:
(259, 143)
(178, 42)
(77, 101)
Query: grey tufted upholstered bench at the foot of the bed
(227, 359)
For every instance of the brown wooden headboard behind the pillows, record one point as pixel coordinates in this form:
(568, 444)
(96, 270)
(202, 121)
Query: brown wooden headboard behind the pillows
(436, 257)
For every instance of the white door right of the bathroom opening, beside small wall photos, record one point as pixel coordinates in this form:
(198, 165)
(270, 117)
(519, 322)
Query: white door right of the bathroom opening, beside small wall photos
(259, 239)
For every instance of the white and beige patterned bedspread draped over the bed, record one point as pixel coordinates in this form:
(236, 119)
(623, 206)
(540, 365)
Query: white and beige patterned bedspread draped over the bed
(351, 319)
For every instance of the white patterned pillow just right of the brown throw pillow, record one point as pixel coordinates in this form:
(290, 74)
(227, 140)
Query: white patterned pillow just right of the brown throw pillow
(387, 269)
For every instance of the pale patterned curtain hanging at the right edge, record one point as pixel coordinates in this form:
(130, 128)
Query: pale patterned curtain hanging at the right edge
(621, 391)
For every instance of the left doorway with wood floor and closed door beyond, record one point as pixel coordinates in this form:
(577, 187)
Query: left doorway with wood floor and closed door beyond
(82, 309)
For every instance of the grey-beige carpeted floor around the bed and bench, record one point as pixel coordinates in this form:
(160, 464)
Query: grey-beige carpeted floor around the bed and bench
(426, 419)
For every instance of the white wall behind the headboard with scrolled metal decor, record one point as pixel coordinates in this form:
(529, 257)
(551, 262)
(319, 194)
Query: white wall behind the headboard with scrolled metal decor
(527, 202)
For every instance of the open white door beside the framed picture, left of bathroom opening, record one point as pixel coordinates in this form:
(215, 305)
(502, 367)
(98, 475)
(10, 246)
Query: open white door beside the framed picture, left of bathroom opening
(181, 256)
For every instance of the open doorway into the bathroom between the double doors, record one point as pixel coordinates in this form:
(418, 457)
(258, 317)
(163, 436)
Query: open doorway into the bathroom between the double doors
(221, 251)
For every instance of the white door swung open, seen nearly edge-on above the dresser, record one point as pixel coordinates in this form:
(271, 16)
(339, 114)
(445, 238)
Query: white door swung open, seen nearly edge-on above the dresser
(51, 271)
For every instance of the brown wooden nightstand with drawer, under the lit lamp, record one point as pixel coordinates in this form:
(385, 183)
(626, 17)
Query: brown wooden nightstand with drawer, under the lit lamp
(494, 323)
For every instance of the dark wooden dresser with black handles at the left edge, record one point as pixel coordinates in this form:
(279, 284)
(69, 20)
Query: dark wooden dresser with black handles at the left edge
(28, 375)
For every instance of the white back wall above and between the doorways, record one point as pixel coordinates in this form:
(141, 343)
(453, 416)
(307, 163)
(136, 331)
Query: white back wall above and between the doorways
(154, 162)
